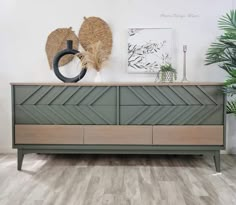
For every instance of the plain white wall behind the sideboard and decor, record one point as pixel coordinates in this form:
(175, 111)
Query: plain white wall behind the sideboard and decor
(25, 25)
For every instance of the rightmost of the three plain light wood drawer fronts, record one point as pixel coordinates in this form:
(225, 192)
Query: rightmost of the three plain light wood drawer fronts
(188, 135)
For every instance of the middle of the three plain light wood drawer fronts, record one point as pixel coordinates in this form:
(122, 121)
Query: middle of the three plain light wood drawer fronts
(118, 135)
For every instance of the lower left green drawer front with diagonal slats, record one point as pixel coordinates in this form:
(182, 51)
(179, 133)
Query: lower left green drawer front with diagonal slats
(65, 115)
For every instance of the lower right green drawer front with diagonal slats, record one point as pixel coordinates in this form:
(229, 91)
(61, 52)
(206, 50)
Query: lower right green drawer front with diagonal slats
(172, 115)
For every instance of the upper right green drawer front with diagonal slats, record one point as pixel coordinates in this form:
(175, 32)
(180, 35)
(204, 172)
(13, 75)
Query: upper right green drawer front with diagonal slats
(171, 95)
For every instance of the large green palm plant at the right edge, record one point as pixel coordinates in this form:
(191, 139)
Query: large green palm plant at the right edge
(223, 52)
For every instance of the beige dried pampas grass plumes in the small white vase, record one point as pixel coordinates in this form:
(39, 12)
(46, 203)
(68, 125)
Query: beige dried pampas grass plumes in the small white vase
(94, 57)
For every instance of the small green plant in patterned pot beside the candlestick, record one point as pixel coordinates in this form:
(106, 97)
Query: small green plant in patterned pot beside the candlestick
(167, 73)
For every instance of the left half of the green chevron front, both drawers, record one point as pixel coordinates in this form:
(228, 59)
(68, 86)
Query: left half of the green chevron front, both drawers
(65, 105)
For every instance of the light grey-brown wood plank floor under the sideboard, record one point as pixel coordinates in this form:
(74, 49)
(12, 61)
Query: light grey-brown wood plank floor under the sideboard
(117, 180)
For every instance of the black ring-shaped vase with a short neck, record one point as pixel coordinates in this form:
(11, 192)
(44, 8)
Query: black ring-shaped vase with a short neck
(59, 55)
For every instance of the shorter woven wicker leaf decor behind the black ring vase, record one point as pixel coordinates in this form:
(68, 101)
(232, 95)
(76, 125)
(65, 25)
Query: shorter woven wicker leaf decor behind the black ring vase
(56, 42)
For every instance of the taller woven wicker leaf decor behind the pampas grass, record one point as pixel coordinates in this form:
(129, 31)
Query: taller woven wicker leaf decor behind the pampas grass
(92, 31)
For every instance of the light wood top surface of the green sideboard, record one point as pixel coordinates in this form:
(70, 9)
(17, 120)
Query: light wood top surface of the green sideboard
(118, 83)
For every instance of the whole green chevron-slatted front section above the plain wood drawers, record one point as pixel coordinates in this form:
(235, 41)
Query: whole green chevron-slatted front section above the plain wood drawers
(119, 105)
